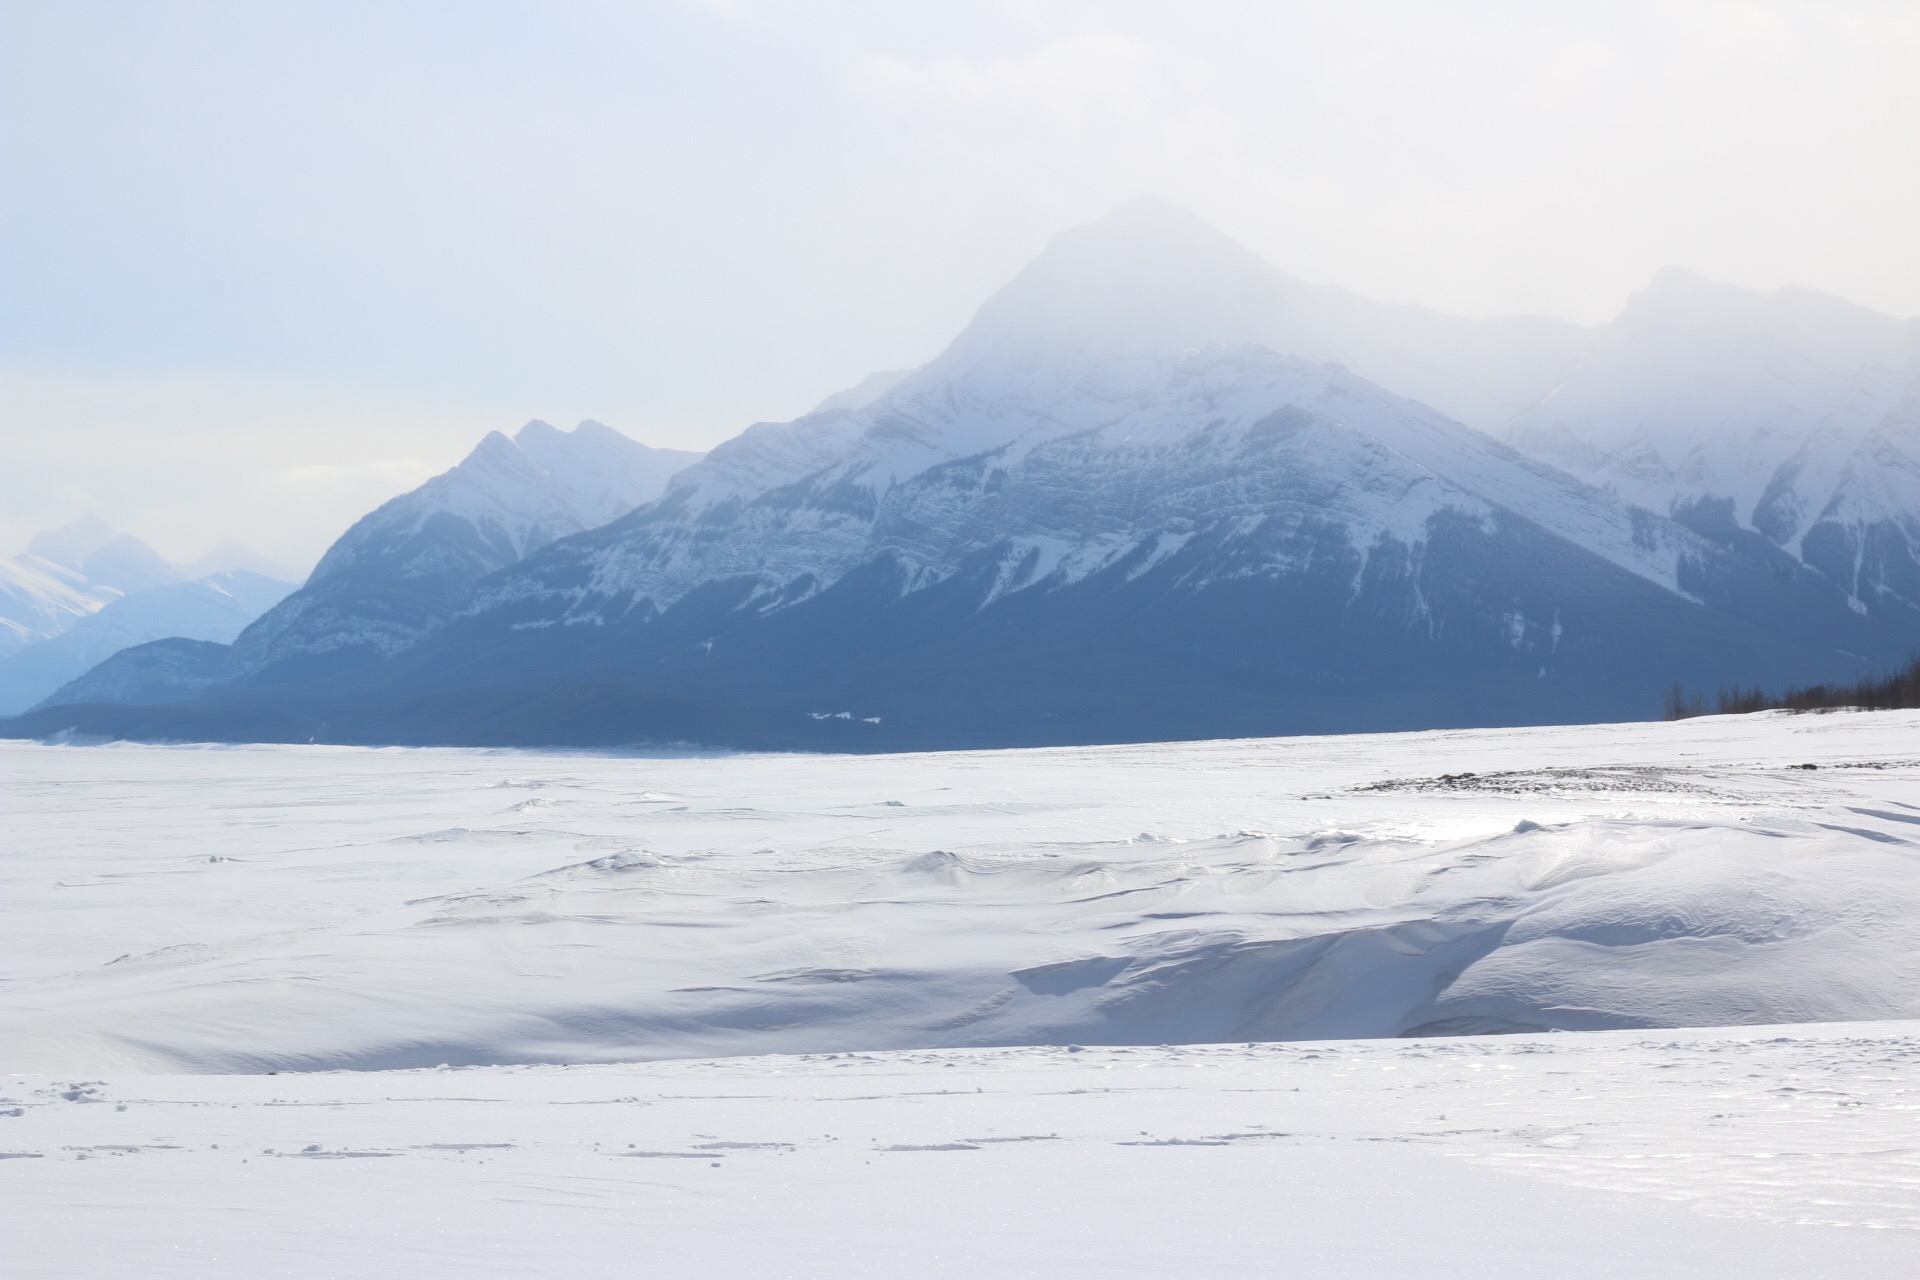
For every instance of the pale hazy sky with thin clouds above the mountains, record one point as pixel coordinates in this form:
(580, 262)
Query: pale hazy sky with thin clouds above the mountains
(264, 266)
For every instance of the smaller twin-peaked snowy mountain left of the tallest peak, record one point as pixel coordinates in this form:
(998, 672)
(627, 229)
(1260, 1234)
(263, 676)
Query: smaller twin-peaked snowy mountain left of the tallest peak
(402, 569)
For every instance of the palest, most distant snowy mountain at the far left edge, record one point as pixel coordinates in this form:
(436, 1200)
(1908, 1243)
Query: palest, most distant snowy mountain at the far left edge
(70, 575)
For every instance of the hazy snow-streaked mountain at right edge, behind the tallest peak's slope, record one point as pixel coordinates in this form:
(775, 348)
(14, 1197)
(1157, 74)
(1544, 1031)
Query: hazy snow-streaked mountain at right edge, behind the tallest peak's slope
(1792, 415)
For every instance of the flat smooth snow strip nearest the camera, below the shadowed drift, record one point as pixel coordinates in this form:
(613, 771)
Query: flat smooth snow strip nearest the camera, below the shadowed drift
(1706, 1154)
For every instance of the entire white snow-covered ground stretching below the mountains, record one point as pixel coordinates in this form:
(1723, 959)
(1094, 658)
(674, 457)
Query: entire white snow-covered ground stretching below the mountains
(533, 964)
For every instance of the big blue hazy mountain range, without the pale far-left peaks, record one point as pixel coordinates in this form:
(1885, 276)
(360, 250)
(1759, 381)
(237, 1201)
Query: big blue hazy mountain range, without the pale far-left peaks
(1155, 490)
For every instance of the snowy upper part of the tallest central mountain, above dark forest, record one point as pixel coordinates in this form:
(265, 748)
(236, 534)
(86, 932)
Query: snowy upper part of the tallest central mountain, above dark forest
(1141, 341)
